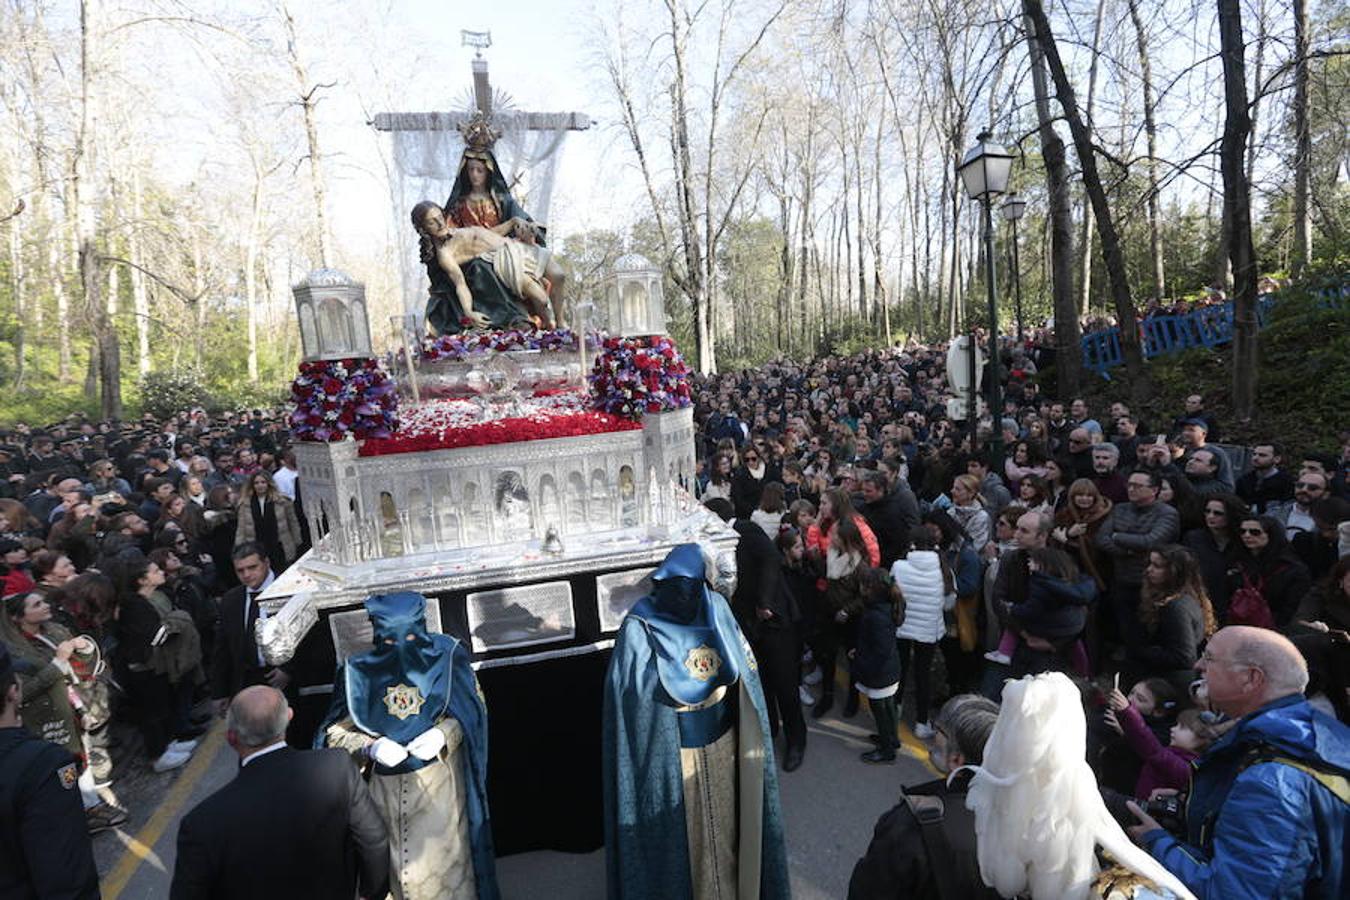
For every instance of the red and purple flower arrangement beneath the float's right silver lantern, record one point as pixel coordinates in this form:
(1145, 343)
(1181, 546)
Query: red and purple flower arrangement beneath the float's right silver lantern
(638, 376)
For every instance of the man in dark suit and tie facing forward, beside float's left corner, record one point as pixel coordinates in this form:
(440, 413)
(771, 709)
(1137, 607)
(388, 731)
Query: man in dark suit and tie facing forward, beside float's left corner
(238, 663)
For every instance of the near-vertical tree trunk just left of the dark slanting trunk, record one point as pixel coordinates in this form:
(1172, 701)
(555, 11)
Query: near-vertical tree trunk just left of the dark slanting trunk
(1069, 339)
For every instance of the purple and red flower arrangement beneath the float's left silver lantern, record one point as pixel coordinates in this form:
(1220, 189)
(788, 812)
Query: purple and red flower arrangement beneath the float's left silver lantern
(341, 399)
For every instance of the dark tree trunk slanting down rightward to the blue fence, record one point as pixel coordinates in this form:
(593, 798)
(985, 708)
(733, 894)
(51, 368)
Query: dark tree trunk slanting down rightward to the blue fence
(1117, 276)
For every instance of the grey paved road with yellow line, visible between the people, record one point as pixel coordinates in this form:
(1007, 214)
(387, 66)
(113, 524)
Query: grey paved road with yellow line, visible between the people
(830, 808)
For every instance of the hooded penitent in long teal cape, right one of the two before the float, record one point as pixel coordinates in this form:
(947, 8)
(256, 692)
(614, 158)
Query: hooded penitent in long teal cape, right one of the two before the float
(691, 789)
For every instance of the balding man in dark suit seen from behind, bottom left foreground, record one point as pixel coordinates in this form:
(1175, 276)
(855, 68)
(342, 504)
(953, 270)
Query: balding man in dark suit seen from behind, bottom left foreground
(292, 825)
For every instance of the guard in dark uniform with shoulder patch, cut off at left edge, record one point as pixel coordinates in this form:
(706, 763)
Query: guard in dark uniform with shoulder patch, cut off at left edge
(45, 848)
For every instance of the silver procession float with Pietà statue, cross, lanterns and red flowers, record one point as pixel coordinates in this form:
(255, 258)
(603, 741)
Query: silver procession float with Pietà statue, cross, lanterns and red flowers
(523, 476)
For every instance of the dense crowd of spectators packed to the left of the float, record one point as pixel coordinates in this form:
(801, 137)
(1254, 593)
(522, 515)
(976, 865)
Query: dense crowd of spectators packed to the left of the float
(117, 544)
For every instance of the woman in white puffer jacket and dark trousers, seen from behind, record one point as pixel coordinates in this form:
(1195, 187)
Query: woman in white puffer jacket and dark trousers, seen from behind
(925, 581)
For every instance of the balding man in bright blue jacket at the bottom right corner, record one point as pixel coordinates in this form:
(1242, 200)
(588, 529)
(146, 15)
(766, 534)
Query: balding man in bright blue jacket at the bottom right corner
(1270, 809)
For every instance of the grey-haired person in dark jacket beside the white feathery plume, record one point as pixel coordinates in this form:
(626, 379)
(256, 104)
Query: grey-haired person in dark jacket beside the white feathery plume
(925, 845)
